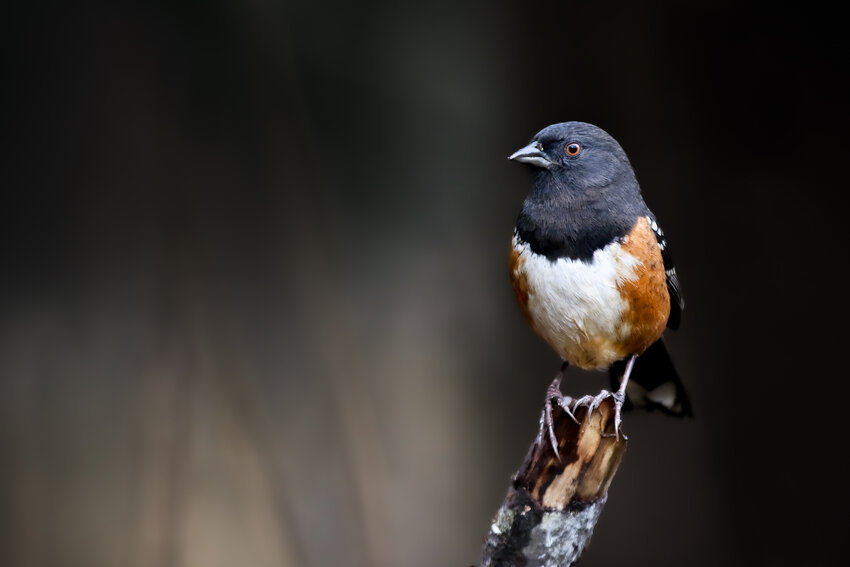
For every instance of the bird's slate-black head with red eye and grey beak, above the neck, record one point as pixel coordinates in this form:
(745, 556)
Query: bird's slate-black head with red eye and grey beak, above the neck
(580, 158)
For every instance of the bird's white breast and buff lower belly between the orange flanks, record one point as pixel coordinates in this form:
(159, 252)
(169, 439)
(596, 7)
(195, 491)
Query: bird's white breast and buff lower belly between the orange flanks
(576, 306)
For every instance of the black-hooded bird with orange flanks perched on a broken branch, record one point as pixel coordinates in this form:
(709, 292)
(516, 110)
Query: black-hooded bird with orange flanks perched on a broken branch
(593, 274)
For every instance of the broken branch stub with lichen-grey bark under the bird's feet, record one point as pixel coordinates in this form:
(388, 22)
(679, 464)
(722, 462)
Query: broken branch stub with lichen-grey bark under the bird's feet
(552, 505)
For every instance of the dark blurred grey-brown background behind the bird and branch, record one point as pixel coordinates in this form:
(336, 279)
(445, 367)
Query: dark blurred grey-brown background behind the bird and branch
(254, 301)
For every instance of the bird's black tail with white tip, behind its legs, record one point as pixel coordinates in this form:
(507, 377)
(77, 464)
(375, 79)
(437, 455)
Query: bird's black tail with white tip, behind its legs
(654, 382)
